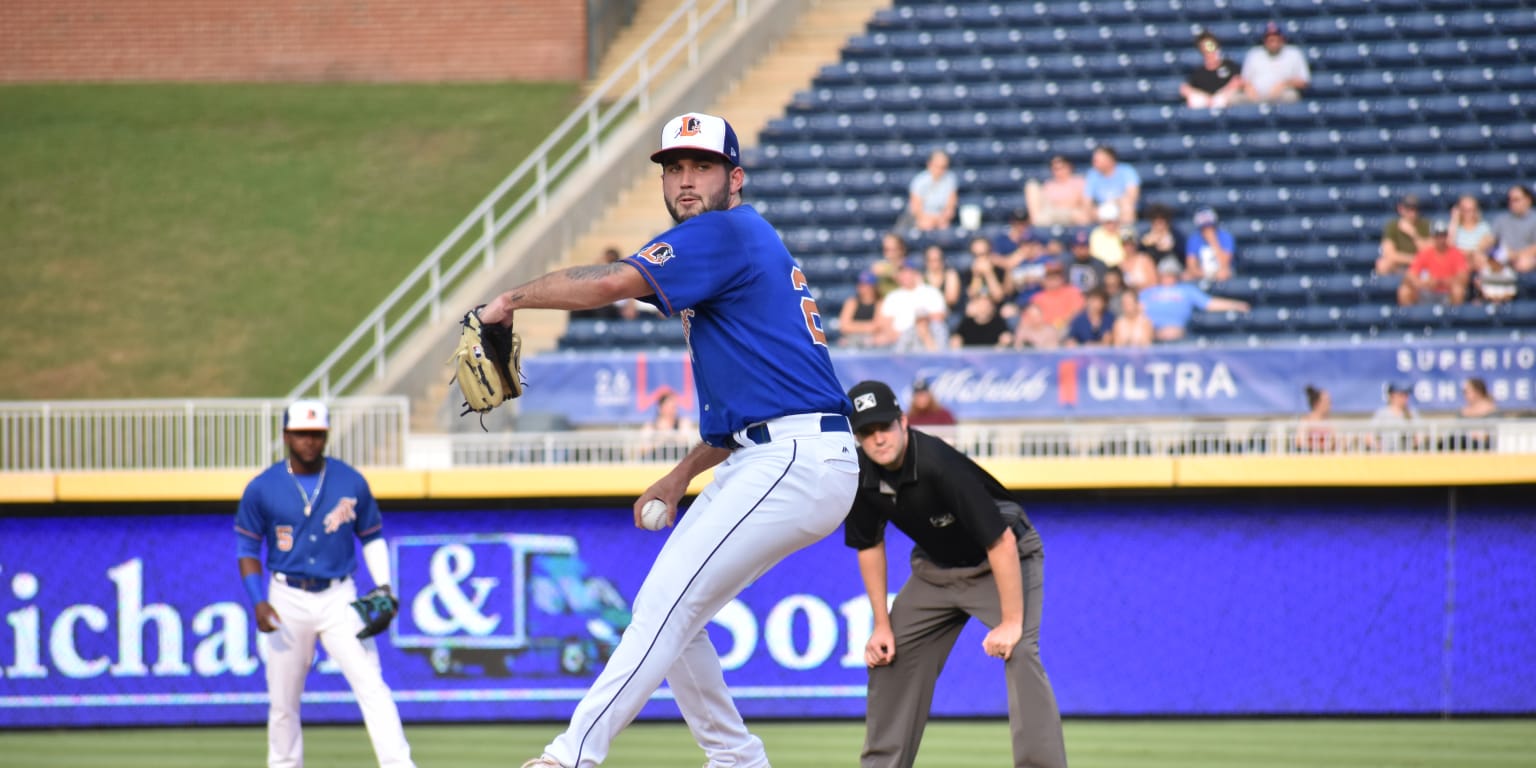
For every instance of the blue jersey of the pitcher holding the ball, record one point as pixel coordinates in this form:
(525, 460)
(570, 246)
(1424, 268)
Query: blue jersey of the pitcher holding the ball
(753, 331)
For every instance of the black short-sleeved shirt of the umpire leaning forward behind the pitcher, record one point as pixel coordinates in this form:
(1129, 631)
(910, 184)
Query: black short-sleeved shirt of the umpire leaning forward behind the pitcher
(945, 503)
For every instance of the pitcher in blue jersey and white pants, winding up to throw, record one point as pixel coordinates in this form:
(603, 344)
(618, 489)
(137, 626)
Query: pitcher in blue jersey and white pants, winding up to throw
(773, 423)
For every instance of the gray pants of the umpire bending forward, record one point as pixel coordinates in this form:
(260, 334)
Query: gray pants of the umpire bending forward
(927, 620)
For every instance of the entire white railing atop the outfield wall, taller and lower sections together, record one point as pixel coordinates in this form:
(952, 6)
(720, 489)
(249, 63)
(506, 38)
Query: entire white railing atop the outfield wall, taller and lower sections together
(374, 432)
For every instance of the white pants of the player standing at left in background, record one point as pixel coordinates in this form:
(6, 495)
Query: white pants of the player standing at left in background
(291, 654)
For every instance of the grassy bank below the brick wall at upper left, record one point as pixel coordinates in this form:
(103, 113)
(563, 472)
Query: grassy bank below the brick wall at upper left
(219, 240)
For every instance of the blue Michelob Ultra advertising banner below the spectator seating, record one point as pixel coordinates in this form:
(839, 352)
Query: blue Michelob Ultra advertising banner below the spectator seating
(1091, 383)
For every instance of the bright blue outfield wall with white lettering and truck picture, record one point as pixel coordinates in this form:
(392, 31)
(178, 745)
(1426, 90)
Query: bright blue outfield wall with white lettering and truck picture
(1183, 604)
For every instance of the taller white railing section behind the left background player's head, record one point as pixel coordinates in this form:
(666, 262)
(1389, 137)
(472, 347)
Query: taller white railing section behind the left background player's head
(188, 434)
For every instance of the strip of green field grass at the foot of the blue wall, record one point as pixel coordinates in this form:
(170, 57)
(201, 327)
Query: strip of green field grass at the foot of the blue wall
(950, 744)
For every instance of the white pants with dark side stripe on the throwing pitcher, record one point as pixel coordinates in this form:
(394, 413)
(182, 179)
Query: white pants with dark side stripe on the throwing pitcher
(766, 503)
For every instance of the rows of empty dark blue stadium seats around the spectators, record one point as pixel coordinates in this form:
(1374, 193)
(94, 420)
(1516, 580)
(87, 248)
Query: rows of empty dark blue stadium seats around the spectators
(1409, 96)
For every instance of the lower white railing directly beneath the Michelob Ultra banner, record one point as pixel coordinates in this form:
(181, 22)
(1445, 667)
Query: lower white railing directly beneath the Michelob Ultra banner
(1078, 440)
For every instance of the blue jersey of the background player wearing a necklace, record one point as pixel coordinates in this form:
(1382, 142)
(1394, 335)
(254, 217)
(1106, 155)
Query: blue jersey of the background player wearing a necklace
(273, 512)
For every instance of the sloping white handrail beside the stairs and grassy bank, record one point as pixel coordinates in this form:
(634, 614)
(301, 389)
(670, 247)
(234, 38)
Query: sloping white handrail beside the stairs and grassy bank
(523, 194)
